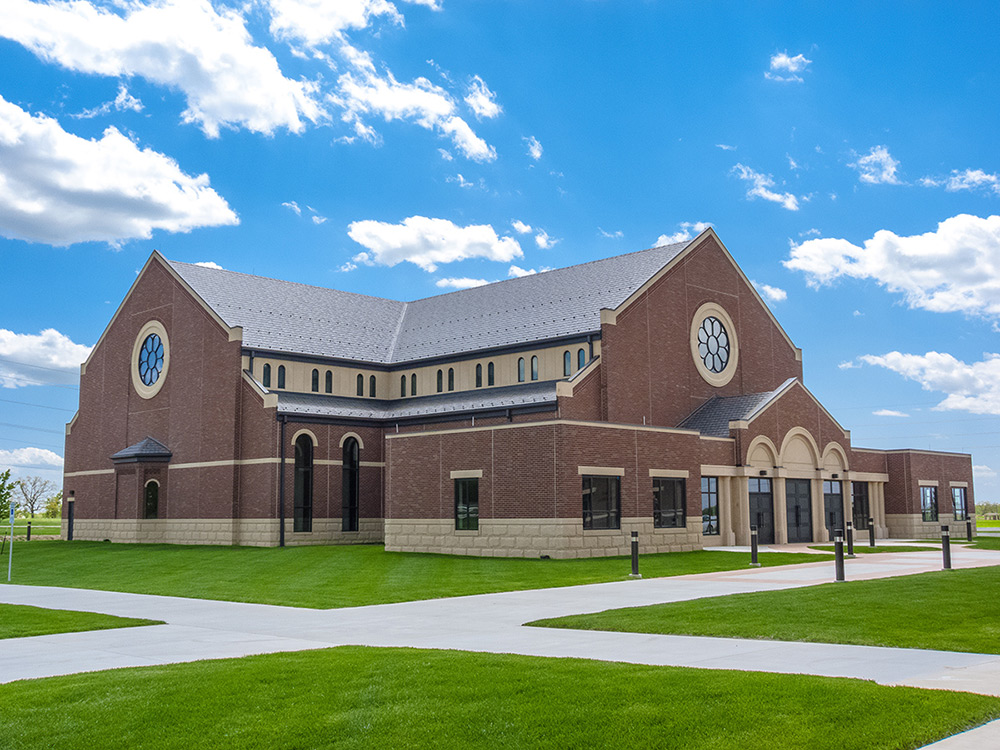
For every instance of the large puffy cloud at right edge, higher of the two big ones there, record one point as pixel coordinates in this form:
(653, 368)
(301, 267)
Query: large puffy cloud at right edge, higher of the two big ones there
(953, 269)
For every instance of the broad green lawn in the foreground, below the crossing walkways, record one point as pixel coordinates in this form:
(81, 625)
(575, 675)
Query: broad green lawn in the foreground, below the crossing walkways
(405, 698)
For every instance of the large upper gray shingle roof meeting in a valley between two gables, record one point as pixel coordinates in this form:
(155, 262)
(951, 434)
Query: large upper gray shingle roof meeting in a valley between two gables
(296, 318)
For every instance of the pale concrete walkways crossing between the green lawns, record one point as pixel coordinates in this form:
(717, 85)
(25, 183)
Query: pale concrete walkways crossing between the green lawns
(203, 629)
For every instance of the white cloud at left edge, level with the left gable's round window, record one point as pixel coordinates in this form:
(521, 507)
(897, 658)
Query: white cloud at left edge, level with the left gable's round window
(46, 358)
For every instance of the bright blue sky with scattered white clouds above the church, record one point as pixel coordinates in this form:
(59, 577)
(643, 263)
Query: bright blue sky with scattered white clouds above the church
(846, 155)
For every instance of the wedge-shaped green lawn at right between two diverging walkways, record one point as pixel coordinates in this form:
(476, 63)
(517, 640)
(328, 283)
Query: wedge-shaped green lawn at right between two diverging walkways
(953, 610)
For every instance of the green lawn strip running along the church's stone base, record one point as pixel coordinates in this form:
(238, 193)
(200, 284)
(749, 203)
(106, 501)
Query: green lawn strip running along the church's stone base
(334, 576)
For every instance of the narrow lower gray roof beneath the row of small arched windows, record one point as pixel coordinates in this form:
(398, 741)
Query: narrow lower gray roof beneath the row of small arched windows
(486, 399)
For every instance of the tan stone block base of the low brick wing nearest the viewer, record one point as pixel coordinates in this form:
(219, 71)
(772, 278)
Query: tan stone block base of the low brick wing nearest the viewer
(535, 537)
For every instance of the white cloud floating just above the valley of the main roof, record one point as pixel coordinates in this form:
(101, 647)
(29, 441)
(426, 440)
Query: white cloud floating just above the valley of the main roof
(427, 242)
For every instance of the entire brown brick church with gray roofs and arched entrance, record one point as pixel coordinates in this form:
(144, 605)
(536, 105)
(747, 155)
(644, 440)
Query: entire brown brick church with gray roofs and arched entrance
(546, 415)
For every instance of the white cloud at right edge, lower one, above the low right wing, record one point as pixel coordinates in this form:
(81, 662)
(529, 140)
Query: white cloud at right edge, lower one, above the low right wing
(968, 387)
